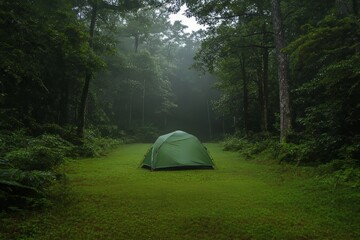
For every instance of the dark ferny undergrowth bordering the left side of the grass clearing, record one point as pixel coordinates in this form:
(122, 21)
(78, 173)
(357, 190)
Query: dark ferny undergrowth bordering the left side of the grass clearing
(30, 162)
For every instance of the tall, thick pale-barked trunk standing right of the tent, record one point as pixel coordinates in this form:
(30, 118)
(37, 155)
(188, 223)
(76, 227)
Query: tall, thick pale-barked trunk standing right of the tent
(285, 118)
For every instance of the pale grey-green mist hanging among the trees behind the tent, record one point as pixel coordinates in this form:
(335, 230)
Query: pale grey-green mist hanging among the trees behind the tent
(151, 80)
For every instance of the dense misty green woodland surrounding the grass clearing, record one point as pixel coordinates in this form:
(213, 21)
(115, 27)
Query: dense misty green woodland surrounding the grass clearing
(276, 77)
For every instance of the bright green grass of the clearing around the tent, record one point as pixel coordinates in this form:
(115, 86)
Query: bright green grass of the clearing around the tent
(110, 198)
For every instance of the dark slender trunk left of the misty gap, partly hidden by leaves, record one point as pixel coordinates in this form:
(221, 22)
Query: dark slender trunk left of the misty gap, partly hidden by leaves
(88, 77)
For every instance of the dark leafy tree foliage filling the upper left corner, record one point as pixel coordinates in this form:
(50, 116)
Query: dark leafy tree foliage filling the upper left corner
(43, 53)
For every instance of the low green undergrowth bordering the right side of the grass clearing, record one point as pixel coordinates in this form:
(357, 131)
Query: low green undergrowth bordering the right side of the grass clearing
(343, 168)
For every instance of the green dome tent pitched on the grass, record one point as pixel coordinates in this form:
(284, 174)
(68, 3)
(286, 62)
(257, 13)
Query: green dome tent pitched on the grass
(177, 150)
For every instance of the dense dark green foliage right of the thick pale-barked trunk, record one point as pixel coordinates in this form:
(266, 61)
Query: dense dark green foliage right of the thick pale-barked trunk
(328, 55)
